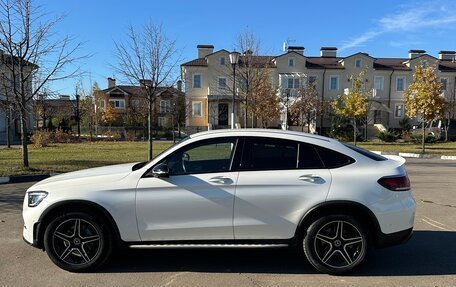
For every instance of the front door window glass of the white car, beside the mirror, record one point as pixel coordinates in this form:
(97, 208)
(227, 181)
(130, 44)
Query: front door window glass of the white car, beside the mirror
(207, 156)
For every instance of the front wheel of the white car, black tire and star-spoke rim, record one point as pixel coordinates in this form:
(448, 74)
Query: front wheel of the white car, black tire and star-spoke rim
(77, 241)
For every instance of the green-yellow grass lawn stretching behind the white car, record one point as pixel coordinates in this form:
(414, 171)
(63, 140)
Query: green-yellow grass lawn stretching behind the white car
(68, 157)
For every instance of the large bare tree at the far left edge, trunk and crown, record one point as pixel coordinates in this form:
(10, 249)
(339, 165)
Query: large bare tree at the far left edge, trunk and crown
(32, 55)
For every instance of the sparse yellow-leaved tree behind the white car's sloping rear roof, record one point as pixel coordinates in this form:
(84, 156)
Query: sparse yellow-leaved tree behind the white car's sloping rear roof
(353, 104)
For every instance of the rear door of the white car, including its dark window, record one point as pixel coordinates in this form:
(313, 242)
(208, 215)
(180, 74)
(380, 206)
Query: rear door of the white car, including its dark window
(279, 179)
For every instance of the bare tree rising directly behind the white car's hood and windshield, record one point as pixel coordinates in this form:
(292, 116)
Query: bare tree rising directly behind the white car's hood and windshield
(147, 57)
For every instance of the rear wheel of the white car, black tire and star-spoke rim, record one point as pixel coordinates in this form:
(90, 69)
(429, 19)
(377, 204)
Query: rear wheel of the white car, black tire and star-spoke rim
(335, 244)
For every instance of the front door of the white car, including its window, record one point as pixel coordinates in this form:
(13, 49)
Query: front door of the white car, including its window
(196, 201)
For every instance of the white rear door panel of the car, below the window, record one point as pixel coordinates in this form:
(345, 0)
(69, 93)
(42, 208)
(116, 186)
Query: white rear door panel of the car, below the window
(270, 204)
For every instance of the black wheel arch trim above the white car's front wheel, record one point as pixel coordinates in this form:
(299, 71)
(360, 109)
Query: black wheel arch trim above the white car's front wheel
(73, 205)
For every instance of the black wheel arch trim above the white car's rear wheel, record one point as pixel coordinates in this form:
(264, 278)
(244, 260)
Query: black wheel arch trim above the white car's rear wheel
(360, 212)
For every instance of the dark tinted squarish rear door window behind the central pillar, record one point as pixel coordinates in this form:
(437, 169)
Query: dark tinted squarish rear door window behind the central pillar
(270, 154)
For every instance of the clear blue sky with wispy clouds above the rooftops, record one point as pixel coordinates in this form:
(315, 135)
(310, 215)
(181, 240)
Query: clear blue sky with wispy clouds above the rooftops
(387, 28)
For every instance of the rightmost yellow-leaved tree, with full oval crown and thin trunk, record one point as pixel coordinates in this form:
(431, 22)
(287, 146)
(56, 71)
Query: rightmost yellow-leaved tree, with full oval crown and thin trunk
(423, 98)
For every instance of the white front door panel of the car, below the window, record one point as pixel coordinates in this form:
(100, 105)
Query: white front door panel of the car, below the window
(186, 207)
